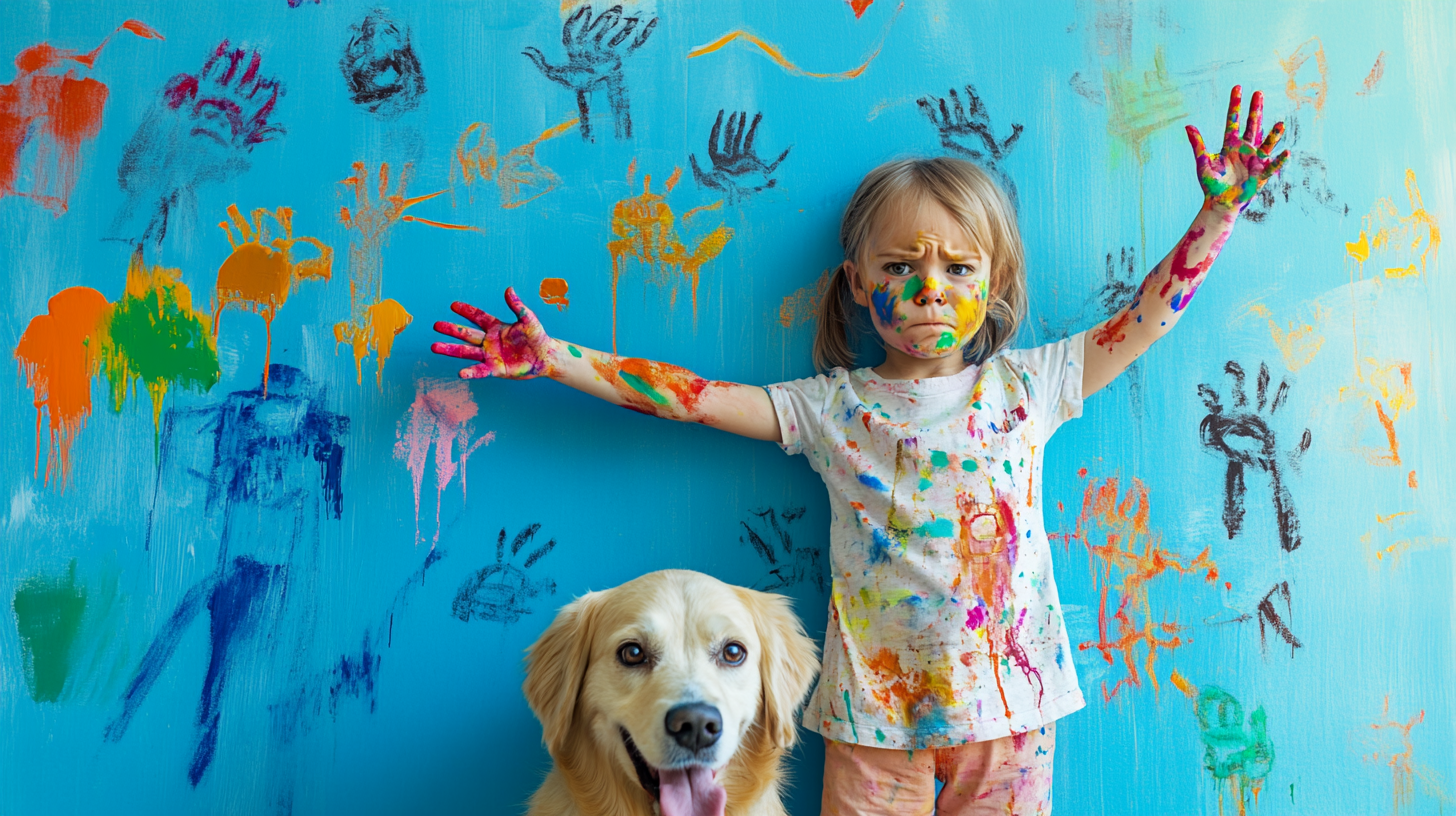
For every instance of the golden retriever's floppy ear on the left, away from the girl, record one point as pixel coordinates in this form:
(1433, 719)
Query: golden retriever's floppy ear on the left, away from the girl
(555, 667)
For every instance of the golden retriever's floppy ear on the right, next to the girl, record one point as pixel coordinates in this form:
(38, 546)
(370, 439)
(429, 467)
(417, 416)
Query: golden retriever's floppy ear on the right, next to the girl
(787, 667)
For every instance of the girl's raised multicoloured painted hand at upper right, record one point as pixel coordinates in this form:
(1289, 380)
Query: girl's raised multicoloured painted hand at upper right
(1234, 177)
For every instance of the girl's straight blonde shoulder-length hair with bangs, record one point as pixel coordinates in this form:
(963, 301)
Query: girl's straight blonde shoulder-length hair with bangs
(979, 206)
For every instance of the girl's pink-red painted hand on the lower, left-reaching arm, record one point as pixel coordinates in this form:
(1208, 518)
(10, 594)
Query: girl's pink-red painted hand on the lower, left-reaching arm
(516, 352)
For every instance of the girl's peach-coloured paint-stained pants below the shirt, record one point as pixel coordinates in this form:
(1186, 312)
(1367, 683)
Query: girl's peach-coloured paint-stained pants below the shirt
(1010, 776)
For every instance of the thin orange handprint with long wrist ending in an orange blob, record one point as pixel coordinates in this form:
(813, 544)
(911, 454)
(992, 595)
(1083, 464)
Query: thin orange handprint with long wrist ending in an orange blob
(376, 321)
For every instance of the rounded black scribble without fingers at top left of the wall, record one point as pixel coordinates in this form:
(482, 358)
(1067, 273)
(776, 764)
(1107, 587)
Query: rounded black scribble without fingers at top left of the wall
(381, 68)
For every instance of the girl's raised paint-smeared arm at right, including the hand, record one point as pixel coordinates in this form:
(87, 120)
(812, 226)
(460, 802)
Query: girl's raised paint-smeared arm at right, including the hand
(1230, 180)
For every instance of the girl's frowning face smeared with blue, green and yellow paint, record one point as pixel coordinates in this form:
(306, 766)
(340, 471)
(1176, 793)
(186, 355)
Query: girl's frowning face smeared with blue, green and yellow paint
(924, 280)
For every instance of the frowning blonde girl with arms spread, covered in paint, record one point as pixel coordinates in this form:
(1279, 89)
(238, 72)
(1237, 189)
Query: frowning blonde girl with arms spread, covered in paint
(946, 655)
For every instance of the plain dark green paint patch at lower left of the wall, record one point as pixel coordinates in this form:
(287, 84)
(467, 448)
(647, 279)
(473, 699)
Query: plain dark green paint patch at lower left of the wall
(49, 616)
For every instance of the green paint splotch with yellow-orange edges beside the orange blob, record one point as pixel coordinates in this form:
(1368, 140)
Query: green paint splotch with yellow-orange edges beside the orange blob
(152, 334)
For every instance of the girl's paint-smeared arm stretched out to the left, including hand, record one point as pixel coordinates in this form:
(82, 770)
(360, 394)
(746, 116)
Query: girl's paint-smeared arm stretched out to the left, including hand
(522, 352)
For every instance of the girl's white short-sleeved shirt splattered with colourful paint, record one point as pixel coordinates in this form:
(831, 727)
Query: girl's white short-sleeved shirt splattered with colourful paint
(944, 623)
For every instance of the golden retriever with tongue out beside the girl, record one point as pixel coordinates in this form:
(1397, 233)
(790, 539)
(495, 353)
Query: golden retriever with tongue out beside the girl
(672, 690)
